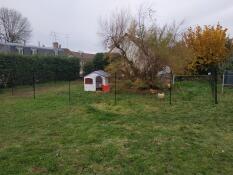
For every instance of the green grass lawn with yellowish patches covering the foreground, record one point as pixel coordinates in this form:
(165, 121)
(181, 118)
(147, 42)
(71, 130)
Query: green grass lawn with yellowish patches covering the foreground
(139, 135)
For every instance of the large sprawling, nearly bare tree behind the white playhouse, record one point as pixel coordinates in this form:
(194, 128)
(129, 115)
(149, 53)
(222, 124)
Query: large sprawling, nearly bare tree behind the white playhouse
(145, 47)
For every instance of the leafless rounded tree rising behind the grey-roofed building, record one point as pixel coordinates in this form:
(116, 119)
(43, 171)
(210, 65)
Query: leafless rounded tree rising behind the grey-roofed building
(13, 26)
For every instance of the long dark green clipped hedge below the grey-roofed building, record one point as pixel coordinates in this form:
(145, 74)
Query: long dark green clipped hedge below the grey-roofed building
(19, 69)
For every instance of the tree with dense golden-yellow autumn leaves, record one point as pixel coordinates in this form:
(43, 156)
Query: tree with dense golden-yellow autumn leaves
(208, 45)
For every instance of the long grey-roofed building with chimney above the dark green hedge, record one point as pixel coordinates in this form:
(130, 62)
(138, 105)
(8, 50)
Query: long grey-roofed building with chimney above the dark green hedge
(23, 49)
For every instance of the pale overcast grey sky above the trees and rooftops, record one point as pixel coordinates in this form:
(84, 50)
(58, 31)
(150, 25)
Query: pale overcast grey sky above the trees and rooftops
(80, 18)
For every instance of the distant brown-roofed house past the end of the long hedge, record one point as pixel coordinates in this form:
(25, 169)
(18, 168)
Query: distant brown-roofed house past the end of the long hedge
(84, 58)
